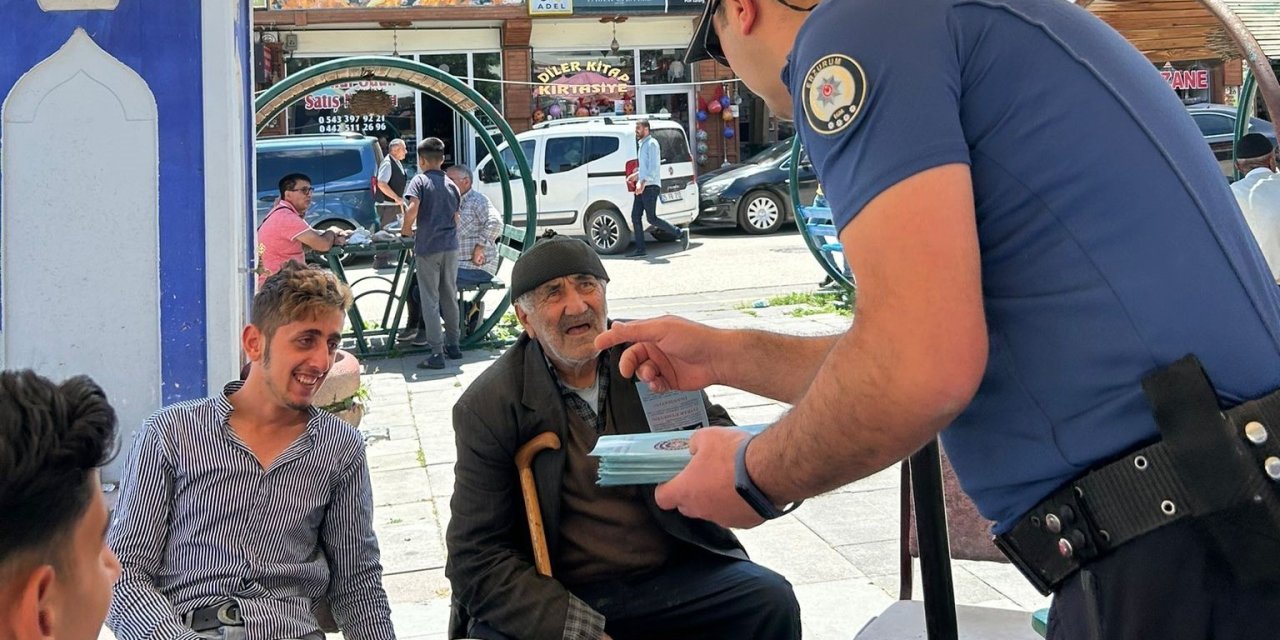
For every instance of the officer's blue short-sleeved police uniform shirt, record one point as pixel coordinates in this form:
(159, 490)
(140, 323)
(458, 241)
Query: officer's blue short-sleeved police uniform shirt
(1110, 243)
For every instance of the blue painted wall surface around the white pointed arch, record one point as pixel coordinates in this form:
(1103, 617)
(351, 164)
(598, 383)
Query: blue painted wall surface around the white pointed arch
(162, 42)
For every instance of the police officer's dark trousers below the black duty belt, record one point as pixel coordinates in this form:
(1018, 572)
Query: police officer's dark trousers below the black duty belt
(1168, 584)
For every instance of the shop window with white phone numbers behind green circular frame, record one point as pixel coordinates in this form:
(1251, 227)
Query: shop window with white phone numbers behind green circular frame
(381, 109)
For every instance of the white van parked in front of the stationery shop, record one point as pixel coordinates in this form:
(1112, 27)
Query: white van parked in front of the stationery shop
(579, 167)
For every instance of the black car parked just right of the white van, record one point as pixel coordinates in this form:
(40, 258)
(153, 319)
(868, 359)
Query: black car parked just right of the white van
(755, 195)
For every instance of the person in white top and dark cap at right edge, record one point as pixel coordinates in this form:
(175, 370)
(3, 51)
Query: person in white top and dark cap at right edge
(1259, 195)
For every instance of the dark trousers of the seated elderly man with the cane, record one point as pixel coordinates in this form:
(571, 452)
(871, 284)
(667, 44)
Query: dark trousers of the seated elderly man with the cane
(701, 597)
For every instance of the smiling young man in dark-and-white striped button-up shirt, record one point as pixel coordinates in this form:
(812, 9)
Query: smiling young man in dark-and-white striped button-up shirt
(240, 511)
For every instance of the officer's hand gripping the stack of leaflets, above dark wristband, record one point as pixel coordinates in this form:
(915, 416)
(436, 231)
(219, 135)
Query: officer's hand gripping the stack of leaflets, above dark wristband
(705, 490)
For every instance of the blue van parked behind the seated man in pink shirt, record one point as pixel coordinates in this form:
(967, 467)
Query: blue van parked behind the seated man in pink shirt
(344, 170)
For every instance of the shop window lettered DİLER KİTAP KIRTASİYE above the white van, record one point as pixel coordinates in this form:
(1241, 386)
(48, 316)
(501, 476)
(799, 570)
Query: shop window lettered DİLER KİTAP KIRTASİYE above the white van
(569, 84)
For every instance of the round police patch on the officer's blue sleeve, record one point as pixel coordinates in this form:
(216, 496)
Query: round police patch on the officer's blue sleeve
(835, 92)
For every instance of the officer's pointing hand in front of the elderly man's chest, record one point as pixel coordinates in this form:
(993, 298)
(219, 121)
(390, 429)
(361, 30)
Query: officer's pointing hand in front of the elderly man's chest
(668, 353)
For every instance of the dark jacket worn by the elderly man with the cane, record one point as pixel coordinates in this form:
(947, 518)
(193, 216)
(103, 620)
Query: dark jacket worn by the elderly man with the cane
(491, 563)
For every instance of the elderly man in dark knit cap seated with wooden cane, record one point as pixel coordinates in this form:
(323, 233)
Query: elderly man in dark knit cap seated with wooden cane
(623, 566)
